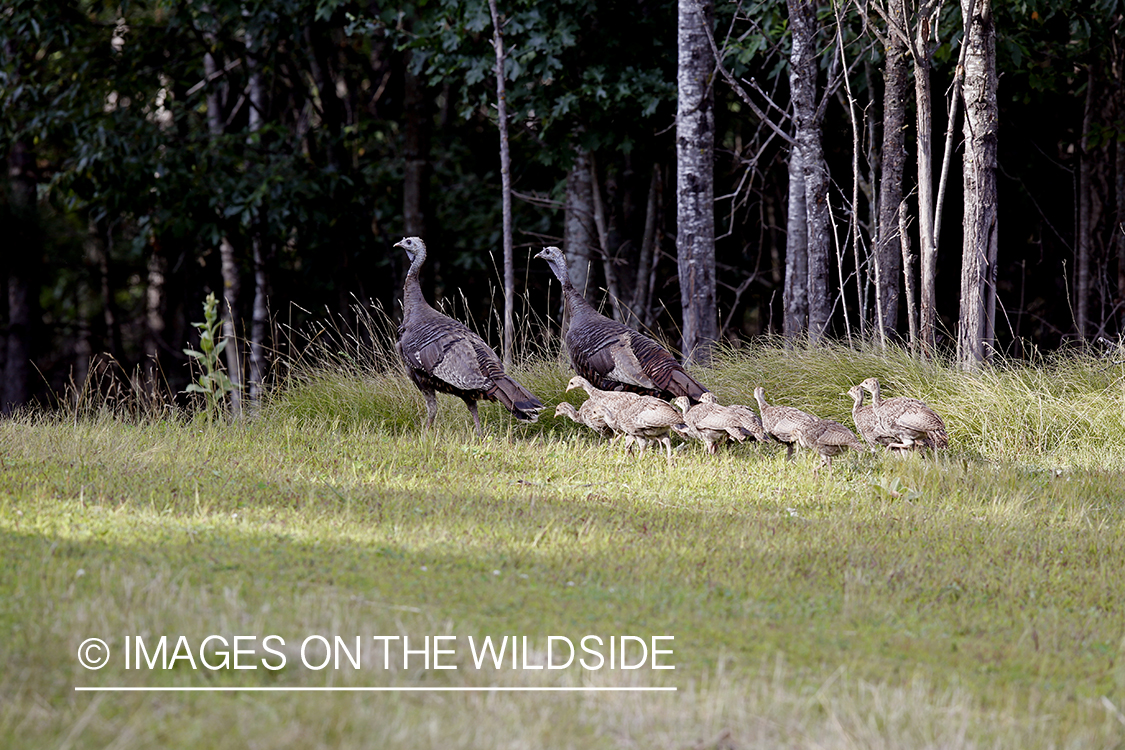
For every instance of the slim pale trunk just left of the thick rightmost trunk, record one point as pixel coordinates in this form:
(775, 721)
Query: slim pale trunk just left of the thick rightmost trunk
(925, 114)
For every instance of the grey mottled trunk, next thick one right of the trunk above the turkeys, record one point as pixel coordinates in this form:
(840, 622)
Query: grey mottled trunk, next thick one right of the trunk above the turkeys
(804, 69)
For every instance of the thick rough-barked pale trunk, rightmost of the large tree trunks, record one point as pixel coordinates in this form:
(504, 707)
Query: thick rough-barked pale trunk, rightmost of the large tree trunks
(978, 258)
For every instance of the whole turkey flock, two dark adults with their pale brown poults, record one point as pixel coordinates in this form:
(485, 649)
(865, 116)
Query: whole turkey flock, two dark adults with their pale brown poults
(637, 391)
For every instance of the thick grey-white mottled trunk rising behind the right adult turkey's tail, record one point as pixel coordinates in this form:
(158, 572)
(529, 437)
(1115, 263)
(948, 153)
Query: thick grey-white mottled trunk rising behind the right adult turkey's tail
(696, 183)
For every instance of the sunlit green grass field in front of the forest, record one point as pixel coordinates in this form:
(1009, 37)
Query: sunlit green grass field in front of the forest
(975, 600)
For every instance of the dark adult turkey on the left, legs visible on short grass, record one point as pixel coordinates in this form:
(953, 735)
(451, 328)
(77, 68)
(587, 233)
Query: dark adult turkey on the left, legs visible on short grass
(444, 355)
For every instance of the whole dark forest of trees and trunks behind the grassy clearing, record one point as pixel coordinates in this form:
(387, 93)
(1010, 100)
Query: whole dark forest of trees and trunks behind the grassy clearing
(273, 152)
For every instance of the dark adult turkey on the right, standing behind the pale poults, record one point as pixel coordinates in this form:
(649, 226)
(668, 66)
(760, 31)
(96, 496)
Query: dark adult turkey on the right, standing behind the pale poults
(611, 356)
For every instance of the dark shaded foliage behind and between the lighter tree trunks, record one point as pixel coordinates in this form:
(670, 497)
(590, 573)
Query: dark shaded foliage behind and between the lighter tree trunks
(145, 160)
